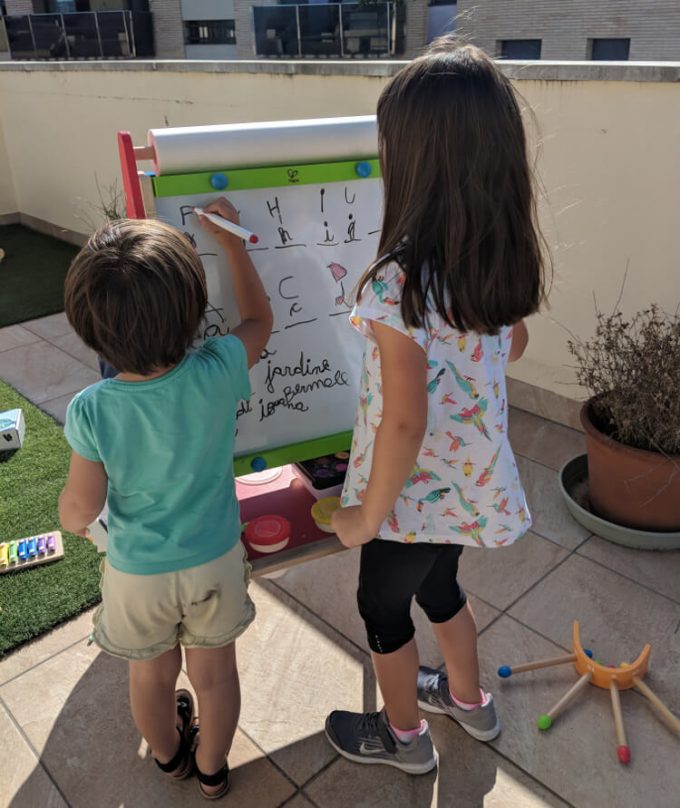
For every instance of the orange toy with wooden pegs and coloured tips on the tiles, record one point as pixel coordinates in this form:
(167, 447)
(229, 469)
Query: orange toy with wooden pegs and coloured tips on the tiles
(624, 677)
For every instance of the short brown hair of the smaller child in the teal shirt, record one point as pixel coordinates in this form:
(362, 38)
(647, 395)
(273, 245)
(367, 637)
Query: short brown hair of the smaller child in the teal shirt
(136, 294)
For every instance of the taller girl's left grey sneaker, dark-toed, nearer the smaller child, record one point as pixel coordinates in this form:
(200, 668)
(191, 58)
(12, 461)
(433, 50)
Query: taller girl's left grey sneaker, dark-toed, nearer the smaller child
(367, 738)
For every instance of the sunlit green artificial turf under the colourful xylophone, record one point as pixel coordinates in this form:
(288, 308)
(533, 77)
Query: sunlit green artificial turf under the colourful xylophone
(37, 599)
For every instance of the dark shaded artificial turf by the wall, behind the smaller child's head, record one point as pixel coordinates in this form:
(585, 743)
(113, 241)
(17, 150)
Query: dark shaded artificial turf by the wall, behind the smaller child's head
(31, 274)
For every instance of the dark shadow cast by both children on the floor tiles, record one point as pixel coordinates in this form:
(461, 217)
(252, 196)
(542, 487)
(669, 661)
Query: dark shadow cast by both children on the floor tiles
(95, 755)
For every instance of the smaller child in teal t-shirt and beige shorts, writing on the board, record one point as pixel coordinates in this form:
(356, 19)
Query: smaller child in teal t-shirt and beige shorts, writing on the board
(157, 441)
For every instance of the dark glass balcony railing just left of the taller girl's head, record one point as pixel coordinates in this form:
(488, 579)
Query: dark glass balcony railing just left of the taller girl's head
(332, 30)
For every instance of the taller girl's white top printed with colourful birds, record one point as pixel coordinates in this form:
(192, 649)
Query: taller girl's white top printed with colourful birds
(465, 487)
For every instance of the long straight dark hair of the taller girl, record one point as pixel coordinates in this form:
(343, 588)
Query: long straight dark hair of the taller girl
(459, 212)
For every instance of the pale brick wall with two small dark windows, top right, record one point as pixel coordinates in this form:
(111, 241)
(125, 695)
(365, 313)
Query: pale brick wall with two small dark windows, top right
(565, 26)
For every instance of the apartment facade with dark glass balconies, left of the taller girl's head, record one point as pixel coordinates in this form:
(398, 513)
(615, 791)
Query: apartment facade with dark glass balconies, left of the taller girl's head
(223, 29)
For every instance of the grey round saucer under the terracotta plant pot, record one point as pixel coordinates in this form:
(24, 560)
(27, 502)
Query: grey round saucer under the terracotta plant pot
(574, 487)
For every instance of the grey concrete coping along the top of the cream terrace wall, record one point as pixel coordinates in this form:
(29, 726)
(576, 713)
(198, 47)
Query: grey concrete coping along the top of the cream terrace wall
(665, 72)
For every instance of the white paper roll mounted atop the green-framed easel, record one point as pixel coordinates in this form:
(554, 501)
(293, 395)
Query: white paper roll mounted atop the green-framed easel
(203, 148)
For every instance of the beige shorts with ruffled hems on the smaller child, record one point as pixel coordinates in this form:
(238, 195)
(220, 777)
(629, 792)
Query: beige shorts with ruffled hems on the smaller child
(143, 616)
